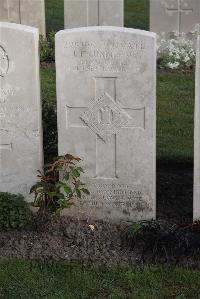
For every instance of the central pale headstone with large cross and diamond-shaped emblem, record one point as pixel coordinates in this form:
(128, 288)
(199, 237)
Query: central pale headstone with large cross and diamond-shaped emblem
(106, 88)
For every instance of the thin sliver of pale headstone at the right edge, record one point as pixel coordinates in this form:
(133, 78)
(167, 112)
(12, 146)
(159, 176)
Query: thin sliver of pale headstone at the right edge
(196, 193)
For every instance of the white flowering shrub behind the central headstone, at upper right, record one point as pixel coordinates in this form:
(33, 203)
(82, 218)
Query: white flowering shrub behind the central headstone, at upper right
(177, 52)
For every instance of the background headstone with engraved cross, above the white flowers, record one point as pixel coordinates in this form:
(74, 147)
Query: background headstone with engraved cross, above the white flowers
(179, 16)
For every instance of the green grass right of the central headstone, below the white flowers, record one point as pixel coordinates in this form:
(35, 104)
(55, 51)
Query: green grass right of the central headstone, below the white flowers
(175, 106)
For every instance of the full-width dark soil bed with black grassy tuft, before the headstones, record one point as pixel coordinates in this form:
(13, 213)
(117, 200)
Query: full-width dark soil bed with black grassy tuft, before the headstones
(108, 244)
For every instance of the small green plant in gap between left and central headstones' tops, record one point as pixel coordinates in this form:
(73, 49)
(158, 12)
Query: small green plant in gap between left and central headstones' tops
(47, 48)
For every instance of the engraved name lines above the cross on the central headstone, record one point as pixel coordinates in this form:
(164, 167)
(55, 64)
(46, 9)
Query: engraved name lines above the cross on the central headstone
(110, 56)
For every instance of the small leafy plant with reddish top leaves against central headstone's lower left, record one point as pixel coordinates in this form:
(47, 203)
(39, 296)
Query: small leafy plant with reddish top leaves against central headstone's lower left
(59, 184)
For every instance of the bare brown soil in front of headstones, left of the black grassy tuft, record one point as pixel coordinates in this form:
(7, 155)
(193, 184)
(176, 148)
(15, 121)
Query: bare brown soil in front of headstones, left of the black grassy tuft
(70, 240)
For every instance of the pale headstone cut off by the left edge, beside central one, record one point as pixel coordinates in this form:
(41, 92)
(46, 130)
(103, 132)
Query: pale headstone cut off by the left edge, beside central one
(20, 108)
